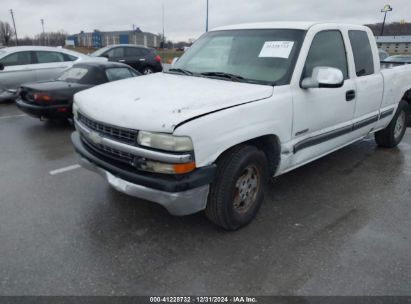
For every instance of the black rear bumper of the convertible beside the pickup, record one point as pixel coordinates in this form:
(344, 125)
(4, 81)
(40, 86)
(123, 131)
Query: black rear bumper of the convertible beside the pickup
(38, 111)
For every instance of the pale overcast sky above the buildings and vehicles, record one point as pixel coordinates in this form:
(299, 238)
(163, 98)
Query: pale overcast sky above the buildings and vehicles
(186, 18)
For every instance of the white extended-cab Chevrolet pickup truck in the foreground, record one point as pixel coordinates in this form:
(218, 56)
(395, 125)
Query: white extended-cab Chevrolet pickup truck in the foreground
(244, 103)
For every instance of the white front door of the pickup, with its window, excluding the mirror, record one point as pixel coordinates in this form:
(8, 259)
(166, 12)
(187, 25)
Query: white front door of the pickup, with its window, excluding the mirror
(322, 117)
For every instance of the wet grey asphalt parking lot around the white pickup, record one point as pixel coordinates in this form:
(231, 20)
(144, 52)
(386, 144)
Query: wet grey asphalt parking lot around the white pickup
(338, 226)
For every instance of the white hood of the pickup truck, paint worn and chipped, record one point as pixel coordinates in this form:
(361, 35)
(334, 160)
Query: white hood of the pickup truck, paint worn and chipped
(159, 102)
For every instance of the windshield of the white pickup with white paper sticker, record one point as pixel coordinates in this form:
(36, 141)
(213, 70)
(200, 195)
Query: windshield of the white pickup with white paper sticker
(258, 56)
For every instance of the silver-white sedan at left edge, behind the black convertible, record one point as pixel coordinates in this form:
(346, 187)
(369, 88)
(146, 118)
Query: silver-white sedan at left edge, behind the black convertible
(23, 64)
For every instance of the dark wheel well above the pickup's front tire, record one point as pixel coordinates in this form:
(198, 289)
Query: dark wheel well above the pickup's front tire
(270, 145)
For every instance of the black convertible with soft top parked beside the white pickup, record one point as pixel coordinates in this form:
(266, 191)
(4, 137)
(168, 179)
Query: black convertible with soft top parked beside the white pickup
(54, 99)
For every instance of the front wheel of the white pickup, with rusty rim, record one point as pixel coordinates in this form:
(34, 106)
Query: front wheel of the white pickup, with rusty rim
(238, 189)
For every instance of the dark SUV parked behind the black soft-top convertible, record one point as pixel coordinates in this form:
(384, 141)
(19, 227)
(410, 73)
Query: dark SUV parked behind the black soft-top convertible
(141, 58)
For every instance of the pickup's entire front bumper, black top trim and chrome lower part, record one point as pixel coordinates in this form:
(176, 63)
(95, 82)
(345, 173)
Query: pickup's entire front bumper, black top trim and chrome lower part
(179, 196)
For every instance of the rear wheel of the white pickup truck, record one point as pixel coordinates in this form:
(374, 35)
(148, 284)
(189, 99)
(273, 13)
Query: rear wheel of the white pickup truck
(392, 135)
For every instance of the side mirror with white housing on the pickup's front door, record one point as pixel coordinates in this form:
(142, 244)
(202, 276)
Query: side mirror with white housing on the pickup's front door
(324, 77)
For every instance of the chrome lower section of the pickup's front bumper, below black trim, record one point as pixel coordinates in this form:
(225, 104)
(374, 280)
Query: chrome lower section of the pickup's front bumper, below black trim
(177, 203)
